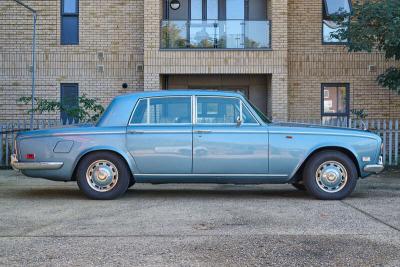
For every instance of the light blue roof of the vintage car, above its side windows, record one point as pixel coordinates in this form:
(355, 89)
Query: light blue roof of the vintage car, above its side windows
(170, 92)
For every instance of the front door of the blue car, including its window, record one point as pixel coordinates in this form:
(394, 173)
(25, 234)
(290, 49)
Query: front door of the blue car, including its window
(221, 145)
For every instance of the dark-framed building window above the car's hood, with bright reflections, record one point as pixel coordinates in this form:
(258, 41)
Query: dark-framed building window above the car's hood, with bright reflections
(335, 101)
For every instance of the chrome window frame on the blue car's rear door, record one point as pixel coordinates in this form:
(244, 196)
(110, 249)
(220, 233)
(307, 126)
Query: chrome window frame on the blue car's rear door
(148, 99)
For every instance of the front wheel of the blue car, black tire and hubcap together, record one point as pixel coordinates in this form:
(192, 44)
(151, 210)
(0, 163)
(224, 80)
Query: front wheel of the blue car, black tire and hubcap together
(330, 175)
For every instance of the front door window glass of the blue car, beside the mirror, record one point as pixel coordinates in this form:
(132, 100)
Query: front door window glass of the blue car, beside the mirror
(219, 110)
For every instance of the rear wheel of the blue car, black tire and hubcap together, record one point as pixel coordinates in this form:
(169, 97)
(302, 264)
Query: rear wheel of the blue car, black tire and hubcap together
(103, 176)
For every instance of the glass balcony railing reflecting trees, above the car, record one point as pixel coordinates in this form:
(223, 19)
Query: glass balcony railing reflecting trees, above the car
(215, 34)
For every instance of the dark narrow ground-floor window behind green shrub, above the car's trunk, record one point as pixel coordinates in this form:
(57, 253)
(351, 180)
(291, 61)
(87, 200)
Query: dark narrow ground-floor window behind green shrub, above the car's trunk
(69, 98)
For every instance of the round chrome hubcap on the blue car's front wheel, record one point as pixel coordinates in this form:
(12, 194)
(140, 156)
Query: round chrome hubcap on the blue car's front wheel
(331, 176)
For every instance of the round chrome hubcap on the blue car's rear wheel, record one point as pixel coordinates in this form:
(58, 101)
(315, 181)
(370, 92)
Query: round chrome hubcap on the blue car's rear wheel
(102, 175)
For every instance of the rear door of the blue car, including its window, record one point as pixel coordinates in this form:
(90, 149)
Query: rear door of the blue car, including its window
(159, 135)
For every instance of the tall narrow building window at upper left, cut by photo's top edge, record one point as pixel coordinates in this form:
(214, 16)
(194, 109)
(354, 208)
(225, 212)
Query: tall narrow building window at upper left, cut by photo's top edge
(69, 22)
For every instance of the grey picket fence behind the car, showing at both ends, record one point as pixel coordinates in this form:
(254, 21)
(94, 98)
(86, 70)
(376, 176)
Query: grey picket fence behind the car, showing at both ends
(387, 129)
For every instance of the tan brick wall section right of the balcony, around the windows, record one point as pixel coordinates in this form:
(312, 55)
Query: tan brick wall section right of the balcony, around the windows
(311, 63)
